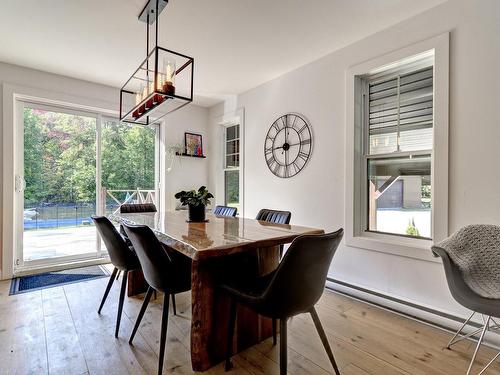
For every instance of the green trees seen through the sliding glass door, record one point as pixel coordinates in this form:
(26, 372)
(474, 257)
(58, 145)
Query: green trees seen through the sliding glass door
(60, 157)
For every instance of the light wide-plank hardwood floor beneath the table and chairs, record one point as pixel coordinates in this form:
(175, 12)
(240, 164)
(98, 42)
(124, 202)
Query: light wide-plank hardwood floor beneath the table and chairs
(58, 331)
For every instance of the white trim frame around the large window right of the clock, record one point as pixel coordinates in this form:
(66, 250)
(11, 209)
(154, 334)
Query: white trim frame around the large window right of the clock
(356, 235)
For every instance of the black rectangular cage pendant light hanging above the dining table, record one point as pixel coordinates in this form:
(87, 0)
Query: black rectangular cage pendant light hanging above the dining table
(163, 82)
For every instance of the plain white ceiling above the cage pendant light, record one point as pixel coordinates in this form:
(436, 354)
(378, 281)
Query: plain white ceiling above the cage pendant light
(237, 44)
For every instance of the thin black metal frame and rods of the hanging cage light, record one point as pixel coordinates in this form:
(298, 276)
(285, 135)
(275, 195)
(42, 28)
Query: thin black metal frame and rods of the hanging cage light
(144, 16)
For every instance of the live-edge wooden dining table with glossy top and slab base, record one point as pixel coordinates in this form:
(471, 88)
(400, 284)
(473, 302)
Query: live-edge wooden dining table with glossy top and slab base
(221, 249)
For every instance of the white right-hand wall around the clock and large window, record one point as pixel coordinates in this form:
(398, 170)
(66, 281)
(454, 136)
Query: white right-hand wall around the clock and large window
(318, 91)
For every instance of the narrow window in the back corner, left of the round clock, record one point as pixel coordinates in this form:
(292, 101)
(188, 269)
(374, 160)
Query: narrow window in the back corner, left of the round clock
(232, 166)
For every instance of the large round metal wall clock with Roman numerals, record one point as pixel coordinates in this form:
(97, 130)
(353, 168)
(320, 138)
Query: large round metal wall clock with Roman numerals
(288, 145)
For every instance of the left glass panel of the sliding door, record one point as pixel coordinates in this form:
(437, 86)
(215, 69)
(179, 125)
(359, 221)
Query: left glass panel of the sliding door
(60, 185)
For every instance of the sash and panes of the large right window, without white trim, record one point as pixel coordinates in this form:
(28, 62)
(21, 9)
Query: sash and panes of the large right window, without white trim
(397, 128)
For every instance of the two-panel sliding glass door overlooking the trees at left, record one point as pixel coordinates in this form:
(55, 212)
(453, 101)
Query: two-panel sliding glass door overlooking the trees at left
(71, 165)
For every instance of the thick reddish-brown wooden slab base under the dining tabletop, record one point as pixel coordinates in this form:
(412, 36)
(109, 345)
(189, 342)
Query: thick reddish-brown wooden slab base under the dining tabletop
(210, 309)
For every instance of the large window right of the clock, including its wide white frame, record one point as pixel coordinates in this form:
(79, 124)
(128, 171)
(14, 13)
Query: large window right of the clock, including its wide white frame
(396, 192)
